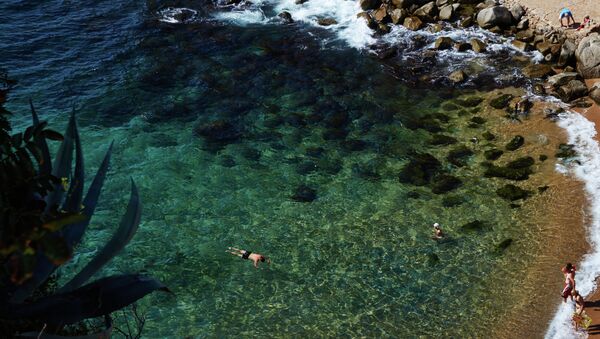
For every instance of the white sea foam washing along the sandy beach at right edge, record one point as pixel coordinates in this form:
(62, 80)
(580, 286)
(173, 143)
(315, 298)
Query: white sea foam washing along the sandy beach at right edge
(581, 133)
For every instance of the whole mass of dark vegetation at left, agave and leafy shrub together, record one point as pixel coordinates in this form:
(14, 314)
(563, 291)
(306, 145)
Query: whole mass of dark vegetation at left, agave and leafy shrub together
(43, 216)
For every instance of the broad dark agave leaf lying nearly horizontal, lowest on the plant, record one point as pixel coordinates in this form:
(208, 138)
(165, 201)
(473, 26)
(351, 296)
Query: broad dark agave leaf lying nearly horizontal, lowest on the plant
(96, 299)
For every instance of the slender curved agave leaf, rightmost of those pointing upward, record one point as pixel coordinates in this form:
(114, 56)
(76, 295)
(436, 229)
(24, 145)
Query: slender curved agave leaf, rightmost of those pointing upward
(127, 228)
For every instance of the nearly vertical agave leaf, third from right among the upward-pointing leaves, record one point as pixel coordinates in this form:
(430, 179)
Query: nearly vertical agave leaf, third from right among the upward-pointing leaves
(62, 164)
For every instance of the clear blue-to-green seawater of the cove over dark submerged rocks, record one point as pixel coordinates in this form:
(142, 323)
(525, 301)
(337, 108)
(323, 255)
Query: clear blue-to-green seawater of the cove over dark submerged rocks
(356, 261)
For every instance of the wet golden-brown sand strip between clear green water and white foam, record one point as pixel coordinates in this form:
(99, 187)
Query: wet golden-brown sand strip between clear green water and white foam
(556, 214)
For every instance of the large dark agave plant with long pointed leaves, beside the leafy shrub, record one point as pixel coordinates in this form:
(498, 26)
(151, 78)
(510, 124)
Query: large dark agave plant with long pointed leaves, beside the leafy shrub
(74, 301)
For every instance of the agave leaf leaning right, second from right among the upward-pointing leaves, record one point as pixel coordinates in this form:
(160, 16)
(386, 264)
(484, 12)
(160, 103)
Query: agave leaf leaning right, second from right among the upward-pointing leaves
(74, 233)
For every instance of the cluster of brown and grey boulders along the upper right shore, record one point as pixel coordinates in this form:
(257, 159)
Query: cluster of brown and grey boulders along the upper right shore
(566, 61)
